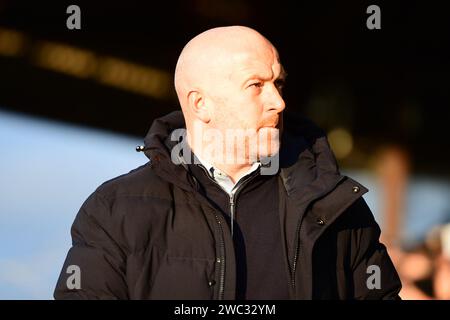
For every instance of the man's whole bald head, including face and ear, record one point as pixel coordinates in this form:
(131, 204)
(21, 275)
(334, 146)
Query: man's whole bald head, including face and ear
(228, 80)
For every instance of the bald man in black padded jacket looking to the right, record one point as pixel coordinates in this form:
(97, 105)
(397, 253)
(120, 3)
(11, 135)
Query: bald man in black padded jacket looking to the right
(230, 205)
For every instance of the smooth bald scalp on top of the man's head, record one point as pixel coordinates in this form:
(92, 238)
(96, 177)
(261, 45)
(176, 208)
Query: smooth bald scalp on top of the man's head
(210, 57)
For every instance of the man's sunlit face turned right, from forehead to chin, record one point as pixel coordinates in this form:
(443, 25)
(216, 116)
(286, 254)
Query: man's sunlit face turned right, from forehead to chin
(248, 96)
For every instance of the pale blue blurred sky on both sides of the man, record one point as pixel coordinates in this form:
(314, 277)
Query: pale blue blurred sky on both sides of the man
(48, 169)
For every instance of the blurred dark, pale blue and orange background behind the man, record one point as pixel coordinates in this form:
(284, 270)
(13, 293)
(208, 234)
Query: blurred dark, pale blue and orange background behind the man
(74, 104)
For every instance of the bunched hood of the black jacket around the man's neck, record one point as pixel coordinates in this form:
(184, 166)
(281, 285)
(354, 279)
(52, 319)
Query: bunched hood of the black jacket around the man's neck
(305, 155)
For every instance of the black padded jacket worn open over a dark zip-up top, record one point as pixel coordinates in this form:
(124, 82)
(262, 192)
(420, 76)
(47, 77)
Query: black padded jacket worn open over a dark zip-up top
(149, 235)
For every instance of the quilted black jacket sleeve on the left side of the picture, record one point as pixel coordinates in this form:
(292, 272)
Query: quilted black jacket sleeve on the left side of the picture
(95, 264)
